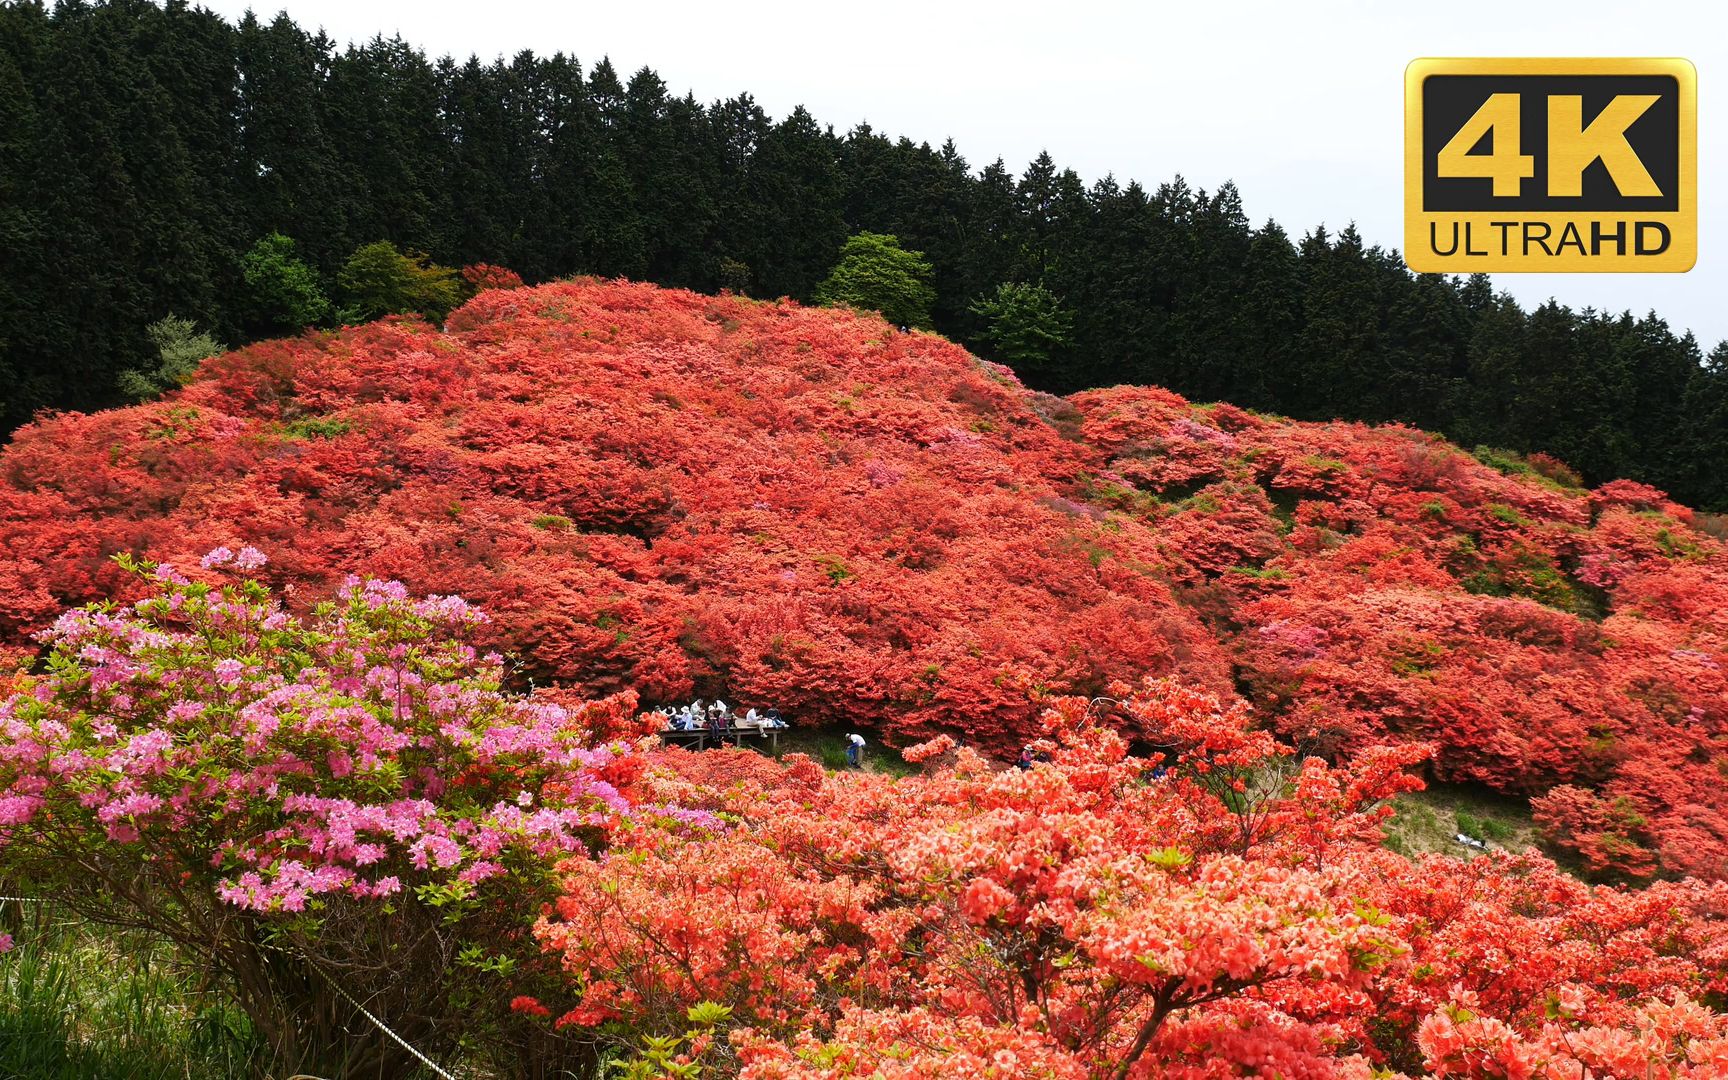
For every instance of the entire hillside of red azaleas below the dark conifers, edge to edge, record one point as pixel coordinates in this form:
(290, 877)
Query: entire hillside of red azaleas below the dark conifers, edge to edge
(673, 493)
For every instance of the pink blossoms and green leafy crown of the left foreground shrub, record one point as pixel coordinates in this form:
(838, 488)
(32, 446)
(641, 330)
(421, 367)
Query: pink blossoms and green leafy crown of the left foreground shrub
(352, 754)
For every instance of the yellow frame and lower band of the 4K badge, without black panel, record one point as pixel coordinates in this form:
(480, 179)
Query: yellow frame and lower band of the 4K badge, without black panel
(1684, 224)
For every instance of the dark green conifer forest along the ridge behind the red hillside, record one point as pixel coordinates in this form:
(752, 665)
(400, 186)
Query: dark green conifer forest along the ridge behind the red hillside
(146, 149)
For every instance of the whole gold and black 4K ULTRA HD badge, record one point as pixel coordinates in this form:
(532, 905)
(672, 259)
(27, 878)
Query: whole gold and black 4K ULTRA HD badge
(1556, 167)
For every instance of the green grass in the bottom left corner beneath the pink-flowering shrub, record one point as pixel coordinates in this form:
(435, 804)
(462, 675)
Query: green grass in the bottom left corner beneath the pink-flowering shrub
(84, 1003)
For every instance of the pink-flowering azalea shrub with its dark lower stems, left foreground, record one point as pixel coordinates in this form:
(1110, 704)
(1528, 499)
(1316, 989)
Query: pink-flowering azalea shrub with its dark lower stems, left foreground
(303, 804)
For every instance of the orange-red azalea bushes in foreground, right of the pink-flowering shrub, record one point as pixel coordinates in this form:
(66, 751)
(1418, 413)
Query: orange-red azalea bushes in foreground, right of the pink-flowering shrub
(1114, 917)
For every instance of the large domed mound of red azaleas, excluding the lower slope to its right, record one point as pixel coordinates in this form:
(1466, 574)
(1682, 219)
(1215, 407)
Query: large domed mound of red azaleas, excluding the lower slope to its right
(647, 490)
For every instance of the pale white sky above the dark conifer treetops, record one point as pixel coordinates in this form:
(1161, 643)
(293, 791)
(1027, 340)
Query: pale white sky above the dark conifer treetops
(1300, 103)
